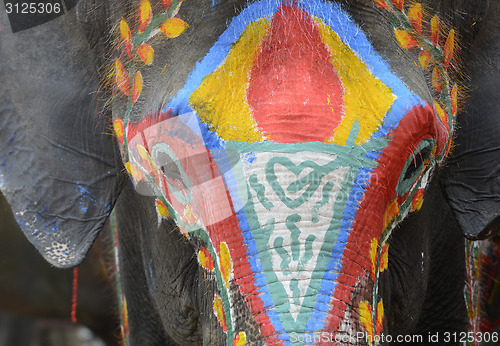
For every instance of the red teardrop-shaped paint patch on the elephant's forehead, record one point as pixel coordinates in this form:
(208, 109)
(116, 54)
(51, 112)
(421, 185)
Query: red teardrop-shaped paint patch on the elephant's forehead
(294, 91)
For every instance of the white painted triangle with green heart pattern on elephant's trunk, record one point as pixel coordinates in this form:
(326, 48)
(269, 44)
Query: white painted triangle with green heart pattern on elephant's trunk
(310, 218)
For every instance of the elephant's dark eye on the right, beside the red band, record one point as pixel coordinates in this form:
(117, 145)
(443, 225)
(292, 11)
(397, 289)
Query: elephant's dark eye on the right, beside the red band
(414, 166)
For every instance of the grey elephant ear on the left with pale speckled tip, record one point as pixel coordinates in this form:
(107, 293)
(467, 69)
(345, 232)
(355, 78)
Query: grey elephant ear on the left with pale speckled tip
(59, 162)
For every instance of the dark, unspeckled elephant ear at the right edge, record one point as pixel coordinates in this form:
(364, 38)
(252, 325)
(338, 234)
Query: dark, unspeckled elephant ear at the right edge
(472, 175)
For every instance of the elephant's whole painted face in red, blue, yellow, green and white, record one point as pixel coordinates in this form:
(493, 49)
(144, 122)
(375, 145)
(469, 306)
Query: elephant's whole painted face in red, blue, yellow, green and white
(292, 151)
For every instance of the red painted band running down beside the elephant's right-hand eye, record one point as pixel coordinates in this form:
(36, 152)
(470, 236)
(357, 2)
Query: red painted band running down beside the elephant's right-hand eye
(418, 124)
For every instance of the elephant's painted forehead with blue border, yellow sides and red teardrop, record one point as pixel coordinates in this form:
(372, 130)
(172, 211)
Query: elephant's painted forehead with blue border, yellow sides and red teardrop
(294, 73)
